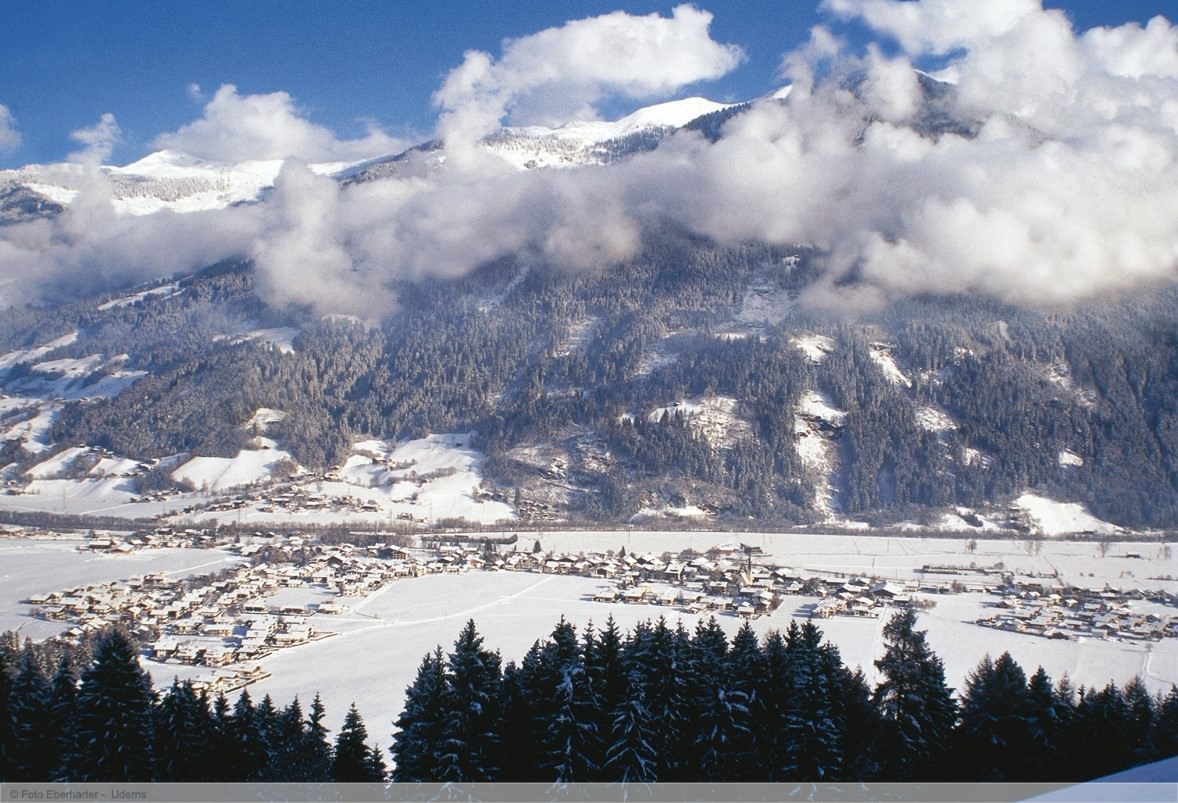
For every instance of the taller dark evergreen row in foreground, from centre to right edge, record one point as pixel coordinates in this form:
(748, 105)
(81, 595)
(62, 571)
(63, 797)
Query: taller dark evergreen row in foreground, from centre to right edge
(663, 705)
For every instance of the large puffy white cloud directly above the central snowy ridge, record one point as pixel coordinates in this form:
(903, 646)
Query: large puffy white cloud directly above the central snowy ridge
(561, 74)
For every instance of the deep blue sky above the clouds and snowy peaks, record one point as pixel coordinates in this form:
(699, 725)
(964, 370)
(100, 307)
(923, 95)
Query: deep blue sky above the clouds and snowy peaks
(347, 65)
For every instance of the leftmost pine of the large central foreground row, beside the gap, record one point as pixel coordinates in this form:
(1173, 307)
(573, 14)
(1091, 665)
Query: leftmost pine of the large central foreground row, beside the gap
(418, 740)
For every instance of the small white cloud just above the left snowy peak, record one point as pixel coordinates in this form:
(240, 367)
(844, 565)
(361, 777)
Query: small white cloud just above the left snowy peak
(236, 128)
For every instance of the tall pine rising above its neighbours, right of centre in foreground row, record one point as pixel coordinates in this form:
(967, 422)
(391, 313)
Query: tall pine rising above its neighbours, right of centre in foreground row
(917, 707)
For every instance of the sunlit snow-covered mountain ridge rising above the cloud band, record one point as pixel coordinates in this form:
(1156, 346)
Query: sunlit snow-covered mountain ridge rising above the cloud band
(183, 183)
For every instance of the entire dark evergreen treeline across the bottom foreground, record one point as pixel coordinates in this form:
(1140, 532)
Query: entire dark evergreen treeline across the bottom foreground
(656, 705)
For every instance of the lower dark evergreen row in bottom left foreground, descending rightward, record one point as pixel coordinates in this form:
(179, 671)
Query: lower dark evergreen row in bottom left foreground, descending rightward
(109, 725)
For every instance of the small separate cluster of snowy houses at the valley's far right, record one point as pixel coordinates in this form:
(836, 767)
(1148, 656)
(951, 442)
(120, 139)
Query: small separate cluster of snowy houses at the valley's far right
(1069, 613)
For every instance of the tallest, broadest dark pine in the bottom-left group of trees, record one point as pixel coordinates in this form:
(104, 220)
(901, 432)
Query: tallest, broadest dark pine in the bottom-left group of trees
(115, 716)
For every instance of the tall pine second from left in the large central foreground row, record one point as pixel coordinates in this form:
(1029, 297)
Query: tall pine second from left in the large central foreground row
(472, 738)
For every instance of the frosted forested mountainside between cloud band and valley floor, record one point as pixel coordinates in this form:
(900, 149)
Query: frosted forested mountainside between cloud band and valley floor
(690, 376)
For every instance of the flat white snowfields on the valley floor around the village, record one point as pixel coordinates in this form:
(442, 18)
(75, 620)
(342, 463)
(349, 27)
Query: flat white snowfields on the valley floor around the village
(382, 638)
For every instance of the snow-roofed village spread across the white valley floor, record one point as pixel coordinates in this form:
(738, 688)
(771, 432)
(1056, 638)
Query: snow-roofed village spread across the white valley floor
(288, 587)
